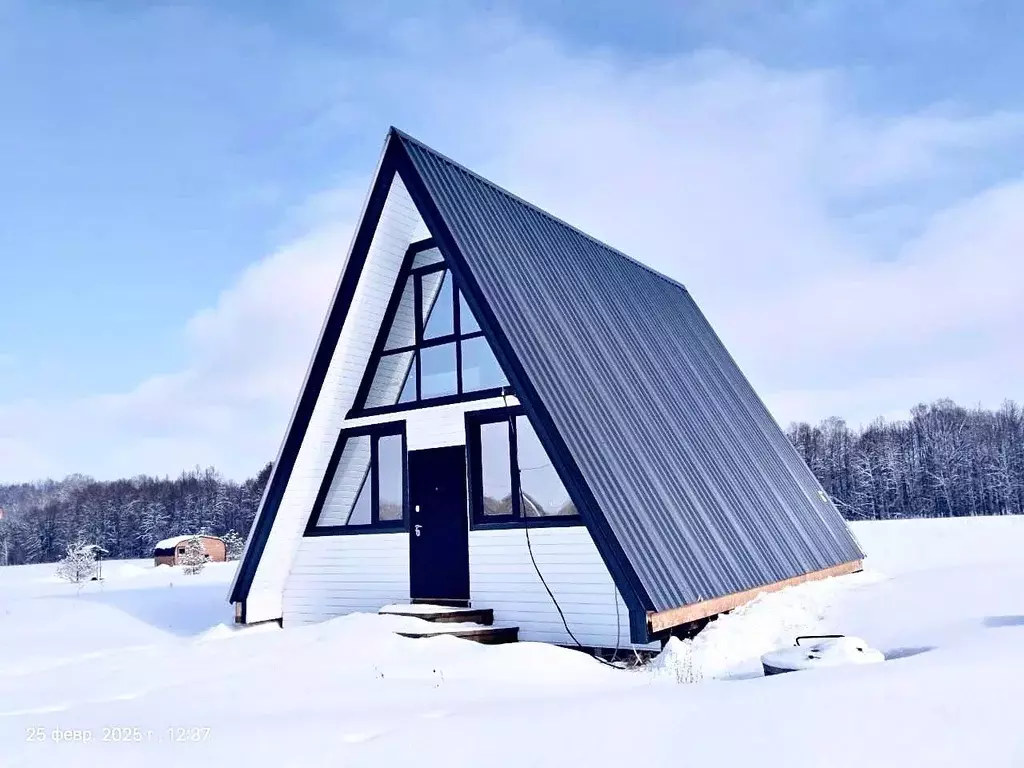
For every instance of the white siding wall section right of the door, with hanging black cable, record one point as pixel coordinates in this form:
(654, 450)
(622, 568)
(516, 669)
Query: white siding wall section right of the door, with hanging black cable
(503, 578)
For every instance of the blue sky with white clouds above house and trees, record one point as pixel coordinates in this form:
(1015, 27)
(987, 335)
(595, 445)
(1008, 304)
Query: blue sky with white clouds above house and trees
(180, 183)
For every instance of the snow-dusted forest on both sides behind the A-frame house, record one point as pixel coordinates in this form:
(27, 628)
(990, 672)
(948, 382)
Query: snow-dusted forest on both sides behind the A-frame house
(945, 461)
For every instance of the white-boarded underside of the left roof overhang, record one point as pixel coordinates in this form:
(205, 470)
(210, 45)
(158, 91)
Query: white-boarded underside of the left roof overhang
(400, 226)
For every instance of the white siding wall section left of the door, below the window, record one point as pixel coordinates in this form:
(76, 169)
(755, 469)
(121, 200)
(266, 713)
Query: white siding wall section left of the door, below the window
(337, 575)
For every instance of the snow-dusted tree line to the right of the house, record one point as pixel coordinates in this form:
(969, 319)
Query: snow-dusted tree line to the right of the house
(946, 461)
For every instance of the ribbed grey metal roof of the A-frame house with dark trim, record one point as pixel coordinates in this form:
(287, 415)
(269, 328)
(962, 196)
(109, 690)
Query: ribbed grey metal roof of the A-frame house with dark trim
(690, 488)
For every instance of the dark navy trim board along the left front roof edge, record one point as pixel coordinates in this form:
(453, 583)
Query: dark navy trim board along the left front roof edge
(318, 371)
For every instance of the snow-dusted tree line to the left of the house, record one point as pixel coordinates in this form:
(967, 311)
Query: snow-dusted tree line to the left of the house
(125, 518)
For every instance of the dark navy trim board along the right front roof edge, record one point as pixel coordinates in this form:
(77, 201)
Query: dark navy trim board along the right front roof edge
(626, 579)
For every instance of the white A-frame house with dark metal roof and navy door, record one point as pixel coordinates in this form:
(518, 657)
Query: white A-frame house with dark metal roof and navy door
(504, 411)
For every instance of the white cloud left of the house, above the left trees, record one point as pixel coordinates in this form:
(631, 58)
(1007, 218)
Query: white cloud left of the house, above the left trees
(227, 408)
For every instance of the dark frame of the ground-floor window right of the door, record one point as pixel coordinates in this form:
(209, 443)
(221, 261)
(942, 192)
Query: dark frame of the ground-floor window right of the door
(475, 468)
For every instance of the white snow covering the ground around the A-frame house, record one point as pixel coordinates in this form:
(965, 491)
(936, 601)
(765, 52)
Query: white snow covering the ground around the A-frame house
(153, 650)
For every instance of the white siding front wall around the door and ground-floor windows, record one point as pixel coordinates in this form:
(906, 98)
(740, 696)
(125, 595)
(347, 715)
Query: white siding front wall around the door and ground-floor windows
(334, 576)
